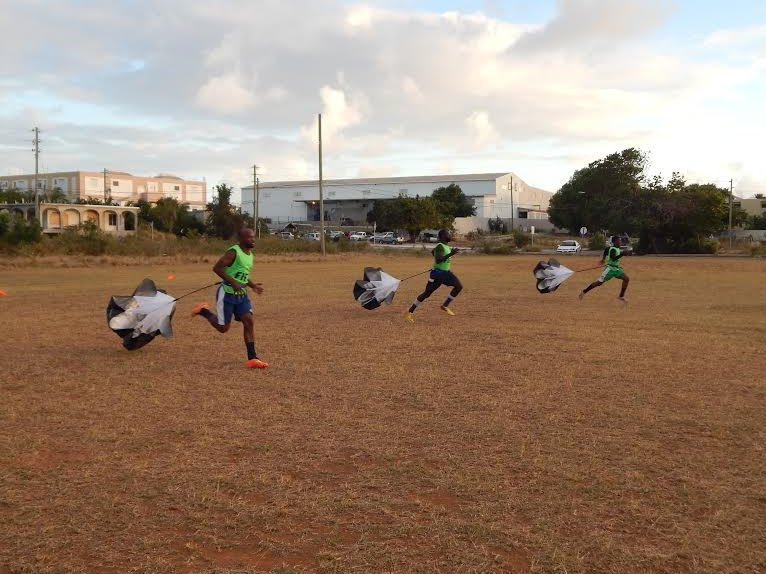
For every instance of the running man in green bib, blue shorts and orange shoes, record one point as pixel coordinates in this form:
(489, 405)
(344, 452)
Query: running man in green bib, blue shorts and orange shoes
(231, 298)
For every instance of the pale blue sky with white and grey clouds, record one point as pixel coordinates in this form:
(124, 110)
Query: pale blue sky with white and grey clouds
(207, 89)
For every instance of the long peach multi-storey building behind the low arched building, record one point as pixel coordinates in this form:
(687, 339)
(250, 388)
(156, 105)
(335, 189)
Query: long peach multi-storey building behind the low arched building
(120, 186)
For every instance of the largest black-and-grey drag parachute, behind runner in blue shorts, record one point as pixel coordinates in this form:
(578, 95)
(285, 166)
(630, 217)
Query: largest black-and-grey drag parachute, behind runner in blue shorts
(137, 319)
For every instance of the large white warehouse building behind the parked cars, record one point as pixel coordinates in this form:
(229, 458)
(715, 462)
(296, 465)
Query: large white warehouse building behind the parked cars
(347, 201)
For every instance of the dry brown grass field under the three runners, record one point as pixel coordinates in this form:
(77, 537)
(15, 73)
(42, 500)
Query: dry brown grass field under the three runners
(527, 434)
